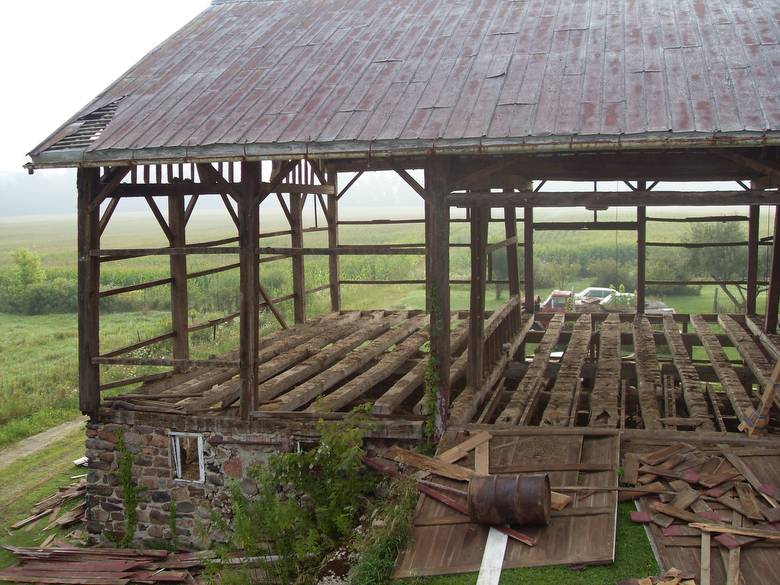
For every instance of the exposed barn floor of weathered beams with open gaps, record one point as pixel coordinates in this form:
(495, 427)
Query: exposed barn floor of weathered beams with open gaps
(601, 370)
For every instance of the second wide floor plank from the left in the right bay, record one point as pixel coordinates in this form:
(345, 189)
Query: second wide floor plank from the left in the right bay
(559, 407)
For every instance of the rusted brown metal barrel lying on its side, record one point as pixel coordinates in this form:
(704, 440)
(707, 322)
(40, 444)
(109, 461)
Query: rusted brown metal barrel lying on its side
(510, 499)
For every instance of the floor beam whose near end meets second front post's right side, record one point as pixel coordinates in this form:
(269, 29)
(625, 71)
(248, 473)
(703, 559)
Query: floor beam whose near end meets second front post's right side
(365, 330)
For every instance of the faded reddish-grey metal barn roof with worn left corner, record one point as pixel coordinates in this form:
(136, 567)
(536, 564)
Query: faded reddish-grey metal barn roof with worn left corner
(334, 78)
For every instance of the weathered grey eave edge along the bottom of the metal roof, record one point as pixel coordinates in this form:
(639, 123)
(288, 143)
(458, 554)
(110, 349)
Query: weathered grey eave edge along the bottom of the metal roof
(401, 148)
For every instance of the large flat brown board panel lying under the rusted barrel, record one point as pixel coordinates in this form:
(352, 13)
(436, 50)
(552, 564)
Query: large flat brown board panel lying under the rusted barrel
(447, 543)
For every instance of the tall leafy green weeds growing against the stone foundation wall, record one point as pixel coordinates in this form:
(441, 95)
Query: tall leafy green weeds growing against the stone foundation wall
(308, 503)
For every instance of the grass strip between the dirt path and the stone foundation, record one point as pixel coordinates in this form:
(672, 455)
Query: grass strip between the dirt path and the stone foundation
(28, 481)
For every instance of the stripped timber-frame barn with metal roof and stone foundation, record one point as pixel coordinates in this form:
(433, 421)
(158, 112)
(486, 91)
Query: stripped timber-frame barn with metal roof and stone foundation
(258, 99)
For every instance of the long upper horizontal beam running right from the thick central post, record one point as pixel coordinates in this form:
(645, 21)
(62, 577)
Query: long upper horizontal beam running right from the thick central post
(612, 198)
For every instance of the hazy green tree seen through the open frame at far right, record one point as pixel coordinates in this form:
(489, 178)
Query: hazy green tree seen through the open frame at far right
(721, 264)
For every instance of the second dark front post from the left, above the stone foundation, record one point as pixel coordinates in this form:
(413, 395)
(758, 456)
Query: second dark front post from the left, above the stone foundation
(249, 241)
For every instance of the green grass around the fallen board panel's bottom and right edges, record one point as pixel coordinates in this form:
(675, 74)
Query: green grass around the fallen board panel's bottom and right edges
(633, 559)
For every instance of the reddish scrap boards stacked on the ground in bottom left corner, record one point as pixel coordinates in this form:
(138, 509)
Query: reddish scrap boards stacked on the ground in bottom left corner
(100, 566)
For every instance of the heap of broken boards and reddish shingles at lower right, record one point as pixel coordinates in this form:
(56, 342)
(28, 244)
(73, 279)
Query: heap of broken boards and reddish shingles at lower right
(710, 494)
